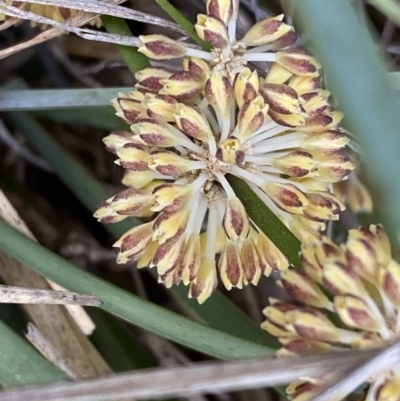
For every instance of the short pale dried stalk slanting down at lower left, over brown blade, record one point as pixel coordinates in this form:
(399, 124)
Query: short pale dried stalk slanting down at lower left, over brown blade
(49, 351)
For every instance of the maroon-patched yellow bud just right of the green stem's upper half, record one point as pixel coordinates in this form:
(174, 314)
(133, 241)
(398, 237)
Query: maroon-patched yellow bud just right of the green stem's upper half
(286, 196)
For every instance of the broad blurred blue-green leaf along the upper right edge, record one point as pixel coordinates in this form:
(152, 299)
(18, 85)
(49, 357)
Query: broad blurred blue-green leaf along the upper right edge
(357, 78)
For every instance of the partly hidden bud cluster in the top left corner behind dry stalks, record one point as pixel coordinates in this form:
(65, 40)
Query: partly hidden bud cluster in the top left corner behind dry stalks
(58, 14)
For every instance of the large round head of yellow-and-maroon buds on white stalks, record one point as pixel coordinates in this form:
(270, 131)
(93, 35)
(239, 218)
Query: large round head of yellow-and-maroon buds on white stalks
(217, 117)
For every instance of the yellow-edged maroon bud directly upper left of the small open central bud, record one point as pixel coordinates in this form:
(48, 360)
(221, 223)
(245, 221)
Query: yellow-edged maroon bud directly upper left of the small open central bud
(192, 121)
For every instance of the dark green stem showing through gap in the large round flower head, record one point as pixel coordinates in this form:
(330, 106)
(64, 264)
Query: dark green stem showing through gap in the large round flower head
(267, 221)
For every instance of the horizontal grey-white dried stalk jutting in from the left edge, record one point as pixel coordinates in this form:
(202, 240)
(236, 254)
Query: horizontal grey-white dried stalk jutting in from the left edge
(20, 295)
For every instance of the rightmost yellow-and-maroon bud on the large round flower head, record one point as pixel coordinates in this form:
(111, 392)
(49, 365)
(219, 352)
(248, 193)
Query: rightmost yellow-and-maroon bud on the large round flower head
(334, 167)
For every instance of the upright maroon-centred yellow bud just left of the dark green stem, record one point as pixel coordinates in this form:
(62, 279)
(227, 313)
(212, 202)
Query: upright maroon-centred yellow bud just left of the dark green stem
(236, 222)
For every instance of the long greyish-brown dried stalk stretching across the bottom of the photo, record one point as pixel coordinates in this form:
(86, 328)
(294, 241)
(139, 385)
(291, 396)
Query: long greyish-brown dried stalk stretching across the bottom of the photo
(208, 377)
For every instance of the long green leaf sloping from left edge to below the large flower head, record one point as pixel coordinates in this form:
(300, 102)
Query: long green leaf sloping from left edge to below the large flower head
(125, 305)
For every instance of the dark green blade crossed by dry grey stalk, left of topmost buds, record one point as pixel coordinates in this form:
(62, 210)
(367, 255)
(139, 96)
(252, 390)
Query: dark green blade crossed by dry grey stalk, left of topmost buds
(134, 60)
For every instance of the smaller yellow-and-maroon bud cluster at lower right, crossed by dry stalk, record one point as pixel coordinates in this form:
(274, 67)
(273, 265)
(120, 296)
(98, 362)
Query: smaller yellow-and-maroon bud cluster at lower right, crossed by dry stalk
(359, 282)
